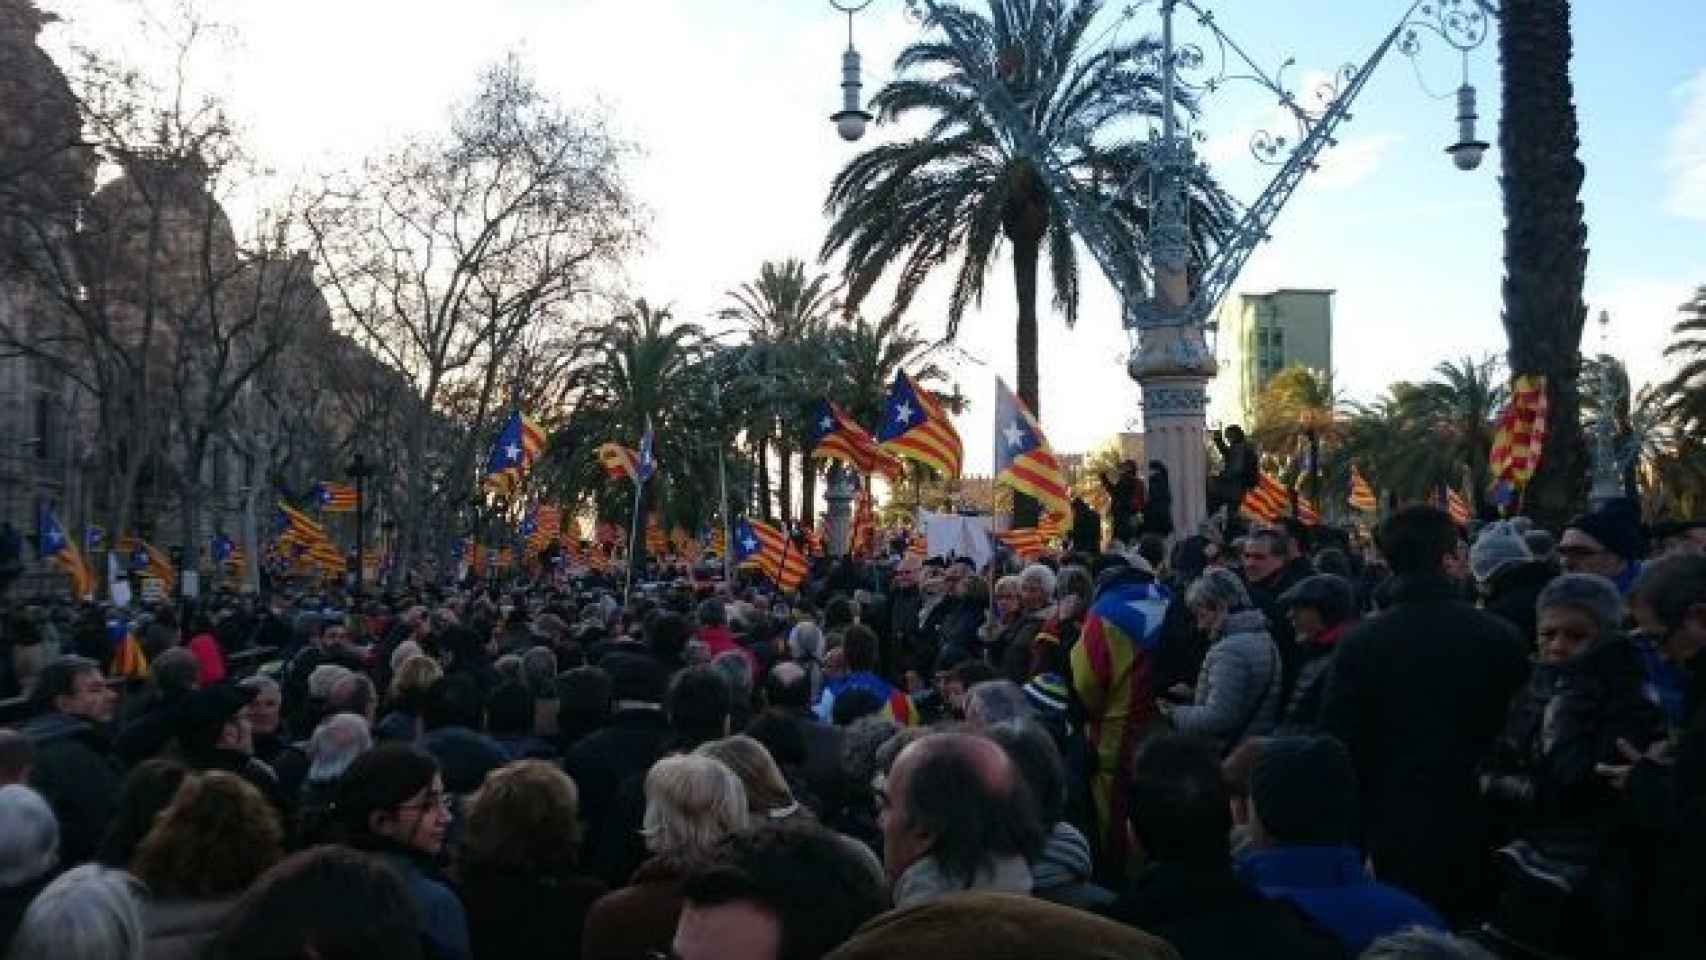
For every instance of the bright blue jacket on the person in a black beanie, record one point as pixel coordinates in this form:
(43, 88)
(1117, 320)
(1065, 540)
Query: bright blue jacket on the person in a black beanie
(1332, 886)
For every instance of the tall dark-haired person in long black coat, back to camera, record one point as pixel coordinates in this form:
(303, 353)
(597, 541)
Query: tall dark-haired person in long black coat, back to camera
(1419, 695)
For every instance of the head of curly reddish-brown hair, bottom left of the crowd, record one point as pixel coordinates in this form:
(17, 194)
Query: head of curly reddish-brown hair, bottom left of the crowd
(202, 853)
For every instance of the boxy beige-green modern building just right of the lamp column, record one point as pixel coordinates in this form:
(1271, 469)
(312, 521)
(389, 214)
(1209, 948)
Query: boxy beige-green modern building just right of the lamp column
(1262, 335)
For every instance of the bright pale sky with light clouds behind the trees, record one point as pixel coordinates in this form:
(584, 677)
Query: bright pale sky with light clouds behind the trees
(729, 105)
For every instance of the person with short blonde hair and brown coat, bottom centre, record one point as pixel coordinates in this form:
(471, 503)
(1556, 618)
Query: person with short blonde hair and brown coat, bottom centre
(692, 804)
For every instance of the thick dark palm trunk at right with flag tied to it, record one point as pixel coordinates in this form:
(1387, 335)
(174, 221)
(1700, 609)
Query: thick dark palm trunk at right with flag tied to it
(1545, 241)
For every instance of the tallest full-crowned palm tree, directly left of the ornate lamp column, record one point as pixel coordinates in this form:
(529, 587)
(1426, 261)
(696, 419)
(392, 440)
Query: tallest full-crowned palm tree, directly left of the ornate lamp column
(960, 190)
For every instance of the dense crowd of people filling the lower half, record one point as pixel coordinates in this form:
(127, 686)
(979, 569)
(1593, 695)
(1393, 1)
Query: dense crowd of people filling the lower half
(1265, 743)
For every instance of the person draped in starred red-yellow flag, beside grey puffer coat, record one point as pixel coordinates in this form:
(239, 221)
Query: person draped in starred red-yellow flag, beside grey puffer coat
(1115, 680)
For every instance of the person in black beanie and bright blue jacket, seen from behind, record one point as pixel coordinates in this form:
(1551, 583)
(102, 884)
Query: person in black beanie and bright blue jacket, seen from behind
(1303, 845)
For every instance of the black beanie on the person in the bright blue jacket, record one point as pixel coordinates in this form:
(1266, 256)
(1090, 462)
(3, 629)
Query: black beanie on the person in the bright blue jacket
(1304, 790)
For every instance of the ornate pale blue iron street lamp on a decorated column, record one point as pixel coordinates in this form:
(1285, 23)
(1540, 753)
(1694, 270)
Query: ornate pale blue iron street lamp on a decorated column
(1168, 294)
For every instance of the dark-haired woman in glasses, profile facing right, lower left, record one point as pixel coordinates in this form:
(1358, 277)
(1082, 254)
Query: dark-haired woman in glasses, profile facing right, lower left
(393, 806)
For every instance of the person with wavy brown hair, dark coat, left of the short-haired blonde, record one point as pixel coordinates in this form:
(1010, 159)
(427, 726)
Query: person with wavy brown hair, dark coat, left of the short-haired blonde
(519, 864)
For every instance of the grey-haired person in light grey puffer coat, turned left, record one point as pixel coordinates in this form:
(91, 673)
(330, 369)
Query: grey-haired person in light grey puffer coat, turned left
(1238, 690)
